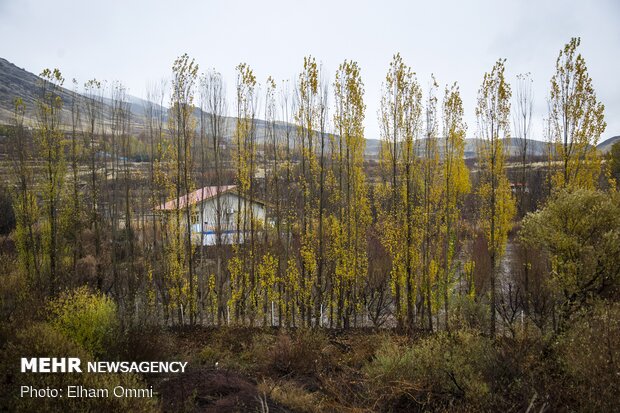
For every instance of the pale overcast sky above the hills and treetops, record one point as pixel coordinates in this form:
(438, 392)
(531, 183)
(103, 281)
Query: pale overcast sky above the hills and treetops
(137, 41)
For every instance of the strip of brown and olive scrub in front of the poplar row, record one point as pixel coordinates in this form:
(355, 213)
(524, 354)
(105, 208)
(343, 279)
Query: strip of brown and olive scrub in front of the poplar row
(300, 370)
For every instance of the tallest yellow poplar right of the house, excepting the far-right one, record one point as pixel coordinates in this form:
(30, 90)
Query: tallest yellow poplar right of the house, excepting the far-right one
(400, 117)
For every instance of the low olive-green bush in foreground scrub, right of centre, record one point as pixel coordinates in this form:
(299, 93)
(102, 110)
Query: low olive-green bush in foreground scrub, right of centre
(437, 372)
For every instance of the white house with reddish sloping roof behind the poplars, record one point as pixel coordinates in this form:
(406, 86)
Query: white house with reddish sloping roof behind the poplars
(204, 211)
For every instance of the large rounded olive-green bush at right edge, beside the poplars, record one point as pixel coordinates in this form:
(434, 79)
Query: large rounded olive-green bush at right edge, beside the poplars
(580, 233)
